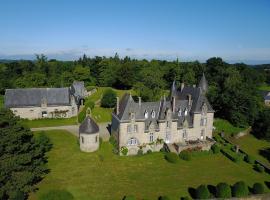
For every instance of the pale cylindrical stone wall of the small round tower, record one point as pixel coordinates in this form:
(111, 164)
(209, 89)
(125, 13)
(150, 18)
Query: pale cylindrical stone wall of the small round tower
(89, 142)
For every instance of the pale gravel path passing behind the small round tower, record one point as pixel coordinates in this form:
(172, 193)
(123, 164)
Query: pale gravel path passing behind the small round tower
(74, 129)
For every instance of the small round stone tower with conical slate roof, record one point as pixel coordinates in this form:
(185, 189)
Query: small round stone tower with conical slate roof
(89, 135)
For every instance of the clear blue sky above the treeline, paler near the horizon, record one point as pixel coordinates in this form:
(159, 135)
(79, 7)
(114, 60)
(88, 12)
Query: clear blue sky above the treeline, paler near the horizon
(235, 30)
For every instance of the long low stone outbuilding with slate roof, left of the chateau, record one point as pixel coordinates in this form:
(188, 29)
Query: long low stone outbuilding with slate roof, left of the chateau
(34, 103)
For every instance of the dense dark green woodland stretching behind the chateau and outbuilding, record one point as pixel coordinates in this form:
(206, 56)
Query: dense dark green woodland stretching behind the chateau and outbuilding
(233, 87)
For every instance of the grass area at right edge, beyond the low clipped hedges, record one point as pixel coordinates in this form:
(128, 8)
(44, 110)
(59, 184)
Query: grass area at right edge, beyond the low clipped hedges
(252, 146)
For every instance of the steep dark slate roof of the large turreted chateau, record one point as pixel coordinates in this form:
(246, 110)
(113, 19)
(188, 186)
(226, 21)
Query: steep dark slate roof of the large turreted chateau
(127, 105)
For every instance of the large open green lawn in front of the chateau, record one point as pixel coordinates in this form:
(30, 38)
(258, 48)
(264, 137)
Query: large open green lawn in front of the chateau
(103, 175)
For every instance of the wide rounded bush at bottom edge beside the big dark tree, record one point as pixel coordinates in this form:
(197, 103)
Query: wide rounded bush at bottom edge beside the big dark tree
(57, 195)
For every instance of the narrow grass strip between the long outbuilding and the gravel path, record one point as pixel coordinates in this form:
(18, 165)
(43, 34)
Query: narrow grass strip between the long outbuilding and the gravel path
(49, 122)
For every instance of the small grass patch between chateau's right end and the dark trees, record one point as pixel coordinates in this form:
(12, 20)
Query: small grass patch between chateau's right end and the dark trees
(227, 127)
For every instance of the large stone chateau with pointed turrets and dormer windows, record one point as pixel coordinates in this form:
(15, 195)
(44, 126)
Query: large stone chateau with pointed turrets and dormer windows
(181, 121)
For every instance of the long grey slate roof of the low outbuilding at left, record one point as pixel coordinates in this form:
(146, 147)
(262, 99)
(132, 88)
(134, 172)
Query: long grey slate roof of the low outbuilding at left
(34, 97)
